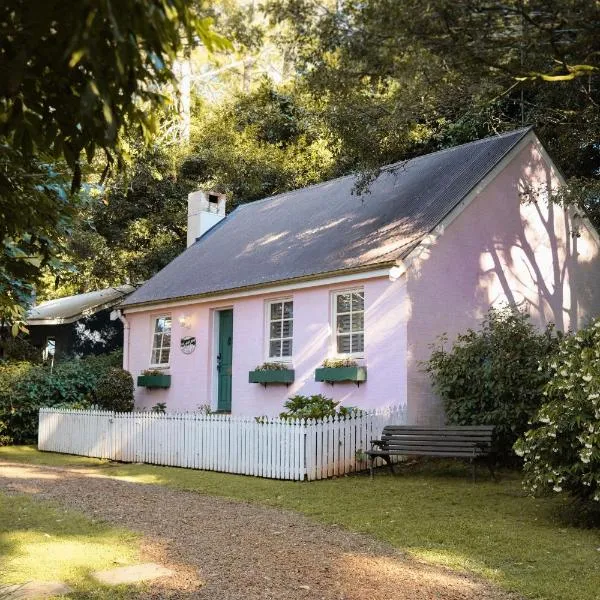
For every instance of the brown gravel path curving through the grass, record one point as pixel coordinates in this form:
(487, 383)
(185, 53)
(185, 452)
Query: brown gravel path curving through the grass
(224, 550)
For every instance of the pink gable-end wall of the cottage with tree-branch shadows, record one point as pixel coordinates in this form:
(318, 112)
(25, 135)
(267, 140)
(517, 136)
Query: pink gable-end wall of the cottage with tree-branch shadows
(497, 250)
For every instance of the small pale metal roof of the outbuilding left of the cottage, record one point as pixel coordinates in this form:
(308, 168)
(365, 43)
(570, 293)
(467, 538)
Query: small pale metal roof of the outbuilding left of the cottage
(72, 308)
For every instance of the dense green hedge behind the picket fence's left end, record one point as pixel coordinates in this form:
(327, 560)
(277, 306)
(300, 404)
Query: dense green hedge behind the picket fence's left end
(26, 387)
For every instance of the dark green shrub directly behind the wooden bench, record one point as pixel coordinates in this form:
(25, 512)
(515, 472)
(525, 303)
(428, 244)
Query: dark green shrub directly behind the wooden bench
(493, 376)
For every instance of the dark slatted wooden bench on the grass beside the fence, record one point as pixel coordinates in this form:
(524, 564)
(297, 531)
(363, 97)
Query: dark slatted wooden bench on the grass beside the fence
(468, 442)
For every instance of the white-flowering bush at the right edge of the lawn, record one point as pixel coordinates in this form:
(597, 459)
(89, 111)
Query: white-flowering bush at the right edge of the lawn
(562, 450)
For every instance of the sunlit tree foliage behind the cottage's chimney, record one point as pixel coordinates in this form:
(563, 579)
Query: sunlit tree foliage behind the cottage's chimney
(249, 146)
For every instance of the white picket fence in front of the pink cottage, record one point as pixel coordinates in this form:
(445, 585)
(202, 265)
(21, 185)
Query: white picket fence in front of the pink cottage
(267, 447)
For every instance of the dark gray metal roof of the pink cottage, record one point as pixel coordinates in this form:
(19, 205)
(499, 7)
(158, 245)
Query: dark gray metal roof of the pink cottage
(326, 227)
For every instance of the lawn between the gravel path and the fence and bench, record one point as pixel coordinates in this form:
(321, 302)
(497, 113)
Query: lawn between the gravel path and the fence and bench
(432, 512)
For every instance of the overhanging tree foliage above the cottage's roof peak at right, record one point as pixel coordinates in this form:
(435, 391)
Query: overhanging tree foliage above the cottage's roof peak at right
(398, 79)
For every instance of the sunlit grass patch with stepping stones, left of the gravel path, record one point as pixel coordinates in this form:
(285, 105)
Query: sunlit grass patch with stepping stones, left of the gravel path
(42, 542)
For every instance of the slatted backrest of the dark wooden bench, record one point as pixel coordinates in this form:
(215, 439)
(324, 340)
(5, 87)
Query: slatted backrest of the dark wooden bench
(456, 440)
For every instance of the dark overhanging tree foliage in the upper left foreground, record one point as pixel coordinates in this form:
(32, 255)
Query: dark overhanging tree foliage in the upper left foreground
(72, 80)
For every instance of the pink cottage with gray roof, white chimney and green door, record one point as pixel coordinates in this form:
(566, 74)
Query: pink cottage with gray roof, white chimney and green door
(322, 273)
